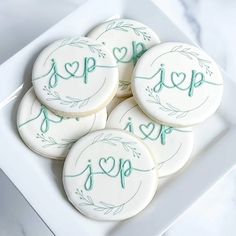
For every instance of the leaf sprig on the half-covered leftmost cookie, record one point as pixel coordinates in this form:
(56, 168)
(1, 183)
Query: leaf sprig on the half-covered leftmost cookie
(50, 141)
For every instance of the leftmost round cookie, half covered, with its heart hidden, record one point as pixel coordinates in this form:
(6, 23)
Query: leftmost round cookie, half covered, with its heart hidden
(52, 135)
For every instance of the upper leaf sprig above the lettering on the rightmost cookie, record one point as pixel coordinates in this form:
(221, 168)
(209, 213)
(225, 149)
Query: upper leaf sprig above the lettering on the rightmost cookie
(187, 52)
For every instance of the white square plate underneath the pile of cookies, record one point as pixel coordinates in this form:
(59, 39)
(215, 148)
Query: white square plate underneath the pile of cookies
(39, 179)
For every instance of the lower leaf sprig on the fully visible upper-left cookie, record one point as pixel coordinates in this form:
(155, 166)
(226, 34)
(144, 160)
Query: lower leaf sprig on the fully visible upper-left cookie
(70, 101)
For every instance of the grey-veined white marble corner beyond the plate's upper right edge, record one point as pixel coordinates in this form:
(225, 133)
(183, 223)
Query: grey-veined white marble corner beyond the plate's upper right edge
(211, 23)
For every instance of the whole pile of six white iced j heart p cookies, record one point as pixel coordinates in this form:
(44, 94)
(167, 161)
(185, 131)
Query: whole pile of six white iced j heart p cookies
(153, 92)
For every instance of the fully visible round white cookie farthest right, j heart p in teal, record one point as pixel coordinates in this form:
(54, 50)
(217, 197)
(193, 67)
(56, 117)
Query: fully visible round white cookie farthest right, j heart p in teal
(177, 84)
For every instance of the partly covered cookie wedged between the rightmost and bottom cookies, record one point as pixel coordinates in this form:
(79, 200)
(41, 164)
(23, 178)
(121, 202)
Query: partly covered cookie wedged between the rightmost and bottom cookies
(171, 147)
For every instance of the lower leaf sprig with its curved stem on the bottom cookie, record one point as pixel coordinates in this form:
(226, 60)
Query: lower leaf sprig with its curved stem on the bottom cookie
(104, 207)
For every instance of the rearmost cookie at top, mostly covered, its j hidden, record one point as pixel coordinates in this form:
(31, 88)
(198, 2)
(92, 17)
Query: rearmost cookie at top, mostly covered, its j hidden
(127, 40)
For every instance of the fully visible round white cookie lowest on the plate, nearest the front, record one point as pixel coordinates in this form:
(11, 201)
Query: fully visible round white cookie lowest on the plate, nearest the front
(110, 175)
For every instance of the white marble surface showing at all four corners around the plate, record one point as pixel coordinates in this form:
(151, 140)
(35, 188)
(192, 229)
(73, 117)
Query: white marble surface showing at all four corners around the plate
(209, 22)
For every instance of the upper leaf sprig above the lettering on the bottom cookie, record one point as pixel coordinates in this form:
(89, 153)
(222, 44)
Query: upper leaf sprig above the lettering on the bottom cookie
(112, 140)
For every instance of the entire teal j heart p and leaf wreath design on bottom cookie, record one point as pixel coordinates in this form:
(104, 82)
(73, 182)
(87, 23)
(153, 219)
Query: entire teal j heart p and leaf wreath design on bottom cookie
(110, 167)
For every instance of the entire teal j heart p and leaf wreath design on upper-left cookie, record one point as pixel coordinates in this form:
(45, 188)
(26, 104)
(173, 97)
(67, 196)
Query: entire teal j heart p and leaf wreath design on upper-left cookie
(73, 70)
